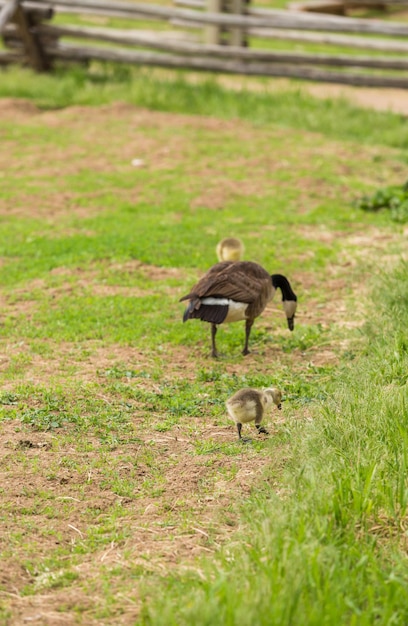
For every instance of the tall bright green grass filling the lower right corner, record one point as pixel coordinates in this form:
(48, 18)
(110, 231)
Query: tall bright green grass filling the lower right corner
(330, 547)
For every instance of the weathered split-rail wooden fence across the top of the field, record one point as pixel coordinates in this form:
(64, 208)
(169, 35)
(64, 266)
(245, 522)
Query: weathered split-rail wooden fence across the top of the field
(220, 41)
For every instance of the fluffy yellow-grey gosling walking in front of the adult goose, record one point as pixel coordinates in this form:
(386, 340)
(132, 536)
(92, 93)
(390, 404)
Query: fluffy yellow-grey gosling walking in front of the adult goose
(247, 405)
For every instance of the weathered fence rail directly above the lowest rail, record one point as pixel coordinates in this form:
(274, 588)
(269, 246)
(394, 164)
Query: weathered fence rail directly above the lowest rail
(157, 42)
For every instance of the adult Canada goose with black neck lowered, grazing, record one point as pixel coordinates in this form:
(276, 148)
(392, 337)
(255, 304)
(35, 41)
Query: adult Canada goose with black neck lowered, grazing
(233, 291)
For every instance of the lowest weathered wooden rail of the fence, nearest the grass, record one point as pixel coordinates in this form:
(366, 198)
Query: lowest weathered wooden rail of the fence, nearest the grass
(231, 67)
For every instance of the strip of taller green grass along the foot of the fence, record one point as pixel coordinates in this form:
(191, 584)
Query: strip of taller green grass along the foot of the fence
(103, 83)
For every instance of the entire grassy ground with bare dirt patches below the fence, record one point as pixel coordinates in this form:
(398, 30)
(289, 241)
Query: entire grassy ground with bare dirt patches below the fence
(109, 402)
